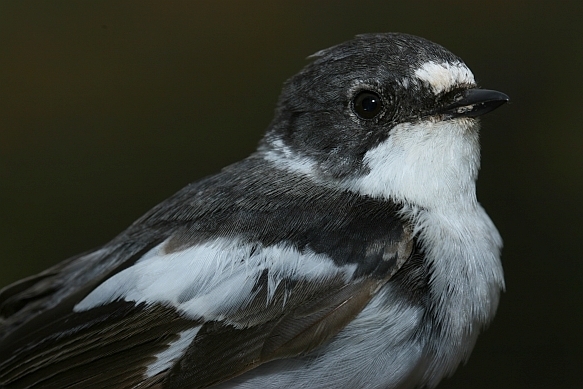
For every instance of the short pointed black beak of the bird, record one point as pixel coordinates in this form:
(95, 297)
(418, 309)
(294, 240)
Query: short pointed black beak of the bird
(475, 102)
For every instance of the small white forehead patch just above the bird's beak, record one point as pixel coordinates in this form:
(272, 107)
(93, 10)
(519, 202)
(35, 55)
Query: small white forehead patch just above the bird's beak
(444, 76)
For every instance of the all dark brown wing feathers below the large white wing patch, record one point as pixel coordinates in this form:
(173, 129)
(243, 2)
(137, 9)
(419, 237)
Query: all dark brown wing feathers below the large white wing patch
(112, 345)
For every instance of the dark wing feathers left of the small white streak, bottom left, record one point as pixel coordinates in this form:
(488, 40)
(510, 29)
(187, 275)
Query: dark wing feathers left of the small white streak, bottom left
(103, 347)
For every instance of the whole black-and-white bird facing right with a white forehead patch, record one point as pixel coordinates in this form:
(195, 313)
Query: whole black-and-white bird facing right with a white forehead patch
(348, 251)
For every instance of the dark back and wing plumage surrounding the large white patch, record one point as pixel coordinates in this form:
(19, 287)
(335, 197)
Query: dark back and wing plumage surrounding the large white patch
(47, 344)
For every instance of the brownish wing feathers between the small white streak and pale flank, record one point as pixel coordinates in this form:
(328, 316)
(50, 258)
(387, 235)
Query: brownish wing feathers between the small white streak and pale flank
(315, 312)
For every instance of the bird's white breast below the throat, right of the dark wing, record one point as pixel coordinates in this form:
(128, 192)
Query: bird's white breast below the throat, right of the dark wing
(463, 246)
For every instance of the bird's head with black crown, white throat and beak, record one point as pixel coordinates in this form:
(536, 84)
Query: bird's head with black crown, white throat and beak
(386, 115)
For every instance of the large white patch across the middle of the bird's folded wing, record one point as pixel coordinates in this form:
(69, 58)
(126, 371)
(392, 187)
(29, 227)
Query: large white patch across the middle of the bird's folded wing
(211, 280)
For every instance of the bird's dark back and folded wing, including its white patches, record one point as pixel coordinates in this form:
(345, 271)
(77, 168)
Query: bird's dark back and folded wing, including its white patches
(250, 265)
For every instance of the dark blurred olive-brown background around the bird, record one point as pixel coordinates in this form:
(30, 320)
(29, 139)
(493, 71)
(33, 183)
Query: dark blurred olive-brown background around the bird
(107, 108)
